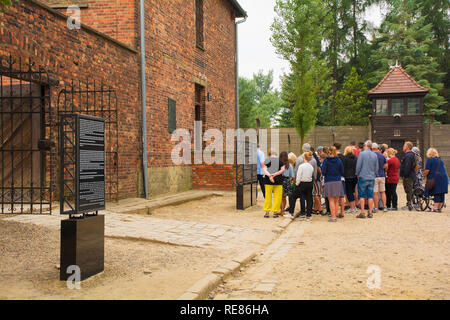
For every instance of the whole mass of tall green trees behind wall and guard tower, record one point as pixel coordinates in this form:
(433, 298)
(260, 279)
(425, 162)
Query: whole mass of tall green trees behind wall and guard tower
(324, 41)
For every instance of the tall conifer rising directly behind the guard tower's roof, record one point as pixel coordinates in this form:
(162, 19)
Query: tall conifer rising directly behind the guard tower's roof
(406, 38)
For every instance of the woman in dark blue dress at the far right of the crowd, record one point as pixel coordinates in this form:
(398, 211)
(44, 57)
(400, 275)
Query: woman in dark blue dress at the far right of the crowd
(435, 169)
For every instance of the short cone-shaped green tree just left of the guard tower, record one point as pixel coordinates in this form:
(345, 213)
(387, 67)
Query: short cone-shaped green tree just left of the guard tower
(352, 104)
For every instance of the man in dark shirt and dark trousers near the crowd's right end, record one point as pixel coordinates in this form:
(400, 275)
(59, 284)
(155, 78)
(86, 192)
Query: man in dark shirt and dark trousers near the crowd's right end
(408, 173)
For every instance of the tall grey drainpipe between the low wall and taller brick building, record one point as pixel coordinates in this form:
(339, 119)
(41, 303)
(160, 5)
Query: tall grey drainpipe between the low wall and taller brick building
(144, 98)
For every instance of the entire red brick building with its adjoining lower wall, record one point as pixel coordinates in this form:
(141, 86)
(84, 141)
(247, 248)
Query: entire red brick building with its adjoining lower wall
(190, 65)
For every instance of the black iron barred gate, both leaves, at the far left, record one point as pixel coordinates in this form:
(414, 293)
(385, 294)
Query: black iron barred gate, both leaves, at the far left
(29, 134)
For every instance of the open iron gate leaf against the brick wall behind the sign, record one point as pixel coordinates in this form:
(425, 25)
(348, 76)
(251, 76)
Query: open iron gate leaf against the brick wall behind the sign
(99, 101)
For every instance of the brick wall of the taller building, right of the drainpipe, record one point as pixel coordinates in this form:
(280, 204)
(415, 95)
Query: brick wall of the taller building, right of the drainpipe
(175, 65)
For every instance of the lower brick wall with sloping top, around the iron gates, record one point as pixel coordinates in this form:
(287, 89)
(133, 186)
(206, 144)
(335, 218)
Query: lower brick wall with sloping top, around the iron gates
(32, 32)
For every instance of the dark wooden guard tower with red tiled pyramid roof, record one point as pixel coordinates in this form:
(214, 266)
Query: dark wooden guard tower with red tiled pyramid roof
(398, 114)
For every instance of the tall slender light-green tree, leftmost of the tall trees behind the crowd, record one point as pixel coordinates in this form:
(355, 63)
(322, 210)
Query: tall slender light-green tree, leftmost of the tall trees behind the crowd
(296, 35)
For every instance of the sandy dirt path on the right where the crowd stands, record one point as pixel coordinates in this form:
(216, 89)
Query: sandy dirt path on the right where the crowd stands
(330, 260)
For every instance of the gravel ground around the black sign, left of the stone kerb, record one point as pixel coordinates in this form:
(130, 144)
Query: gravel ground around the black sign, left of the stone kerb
(29, 256)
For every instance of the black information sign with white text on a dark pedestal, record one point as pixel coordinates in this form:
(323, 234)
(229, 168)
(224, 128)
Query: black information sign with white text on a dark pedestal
(82, 194)
